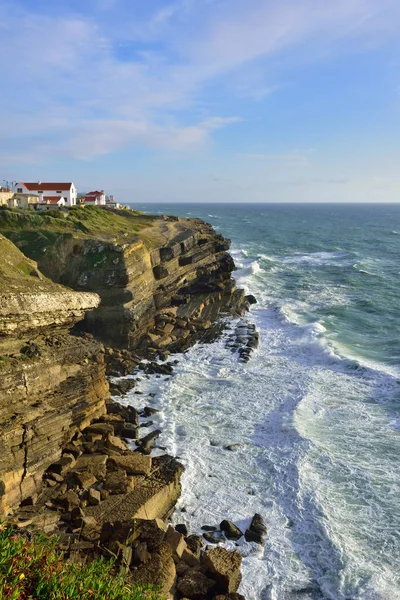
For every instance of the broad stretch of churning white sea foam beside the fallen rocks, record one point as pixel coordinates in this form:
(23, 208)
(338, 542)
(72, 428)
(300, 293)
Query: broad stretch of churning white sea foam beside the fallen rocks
(292, 411)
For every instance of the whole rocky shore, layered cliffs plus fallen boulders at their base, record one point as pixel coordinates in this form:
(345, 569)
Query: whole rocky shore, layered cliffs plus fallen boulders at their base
(163, 282)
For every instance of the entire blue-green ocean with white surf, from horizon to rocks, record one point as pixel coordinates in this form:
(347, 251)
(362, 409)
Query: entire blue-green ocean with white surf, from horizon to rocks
(315, 413)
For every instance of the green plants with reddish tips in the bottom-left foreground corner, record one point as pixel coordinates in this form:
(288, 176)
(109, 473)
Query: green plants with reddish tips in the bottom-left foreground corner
(34, 569)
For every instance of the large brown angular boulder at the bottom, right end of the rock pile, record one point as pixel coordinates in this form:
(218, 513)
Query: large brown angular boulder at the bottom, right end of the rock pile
(223, 566)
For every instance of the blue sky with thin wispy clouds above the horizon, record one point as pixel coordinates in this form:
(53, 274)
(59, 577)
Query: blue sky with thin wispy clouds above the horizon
(204, 100)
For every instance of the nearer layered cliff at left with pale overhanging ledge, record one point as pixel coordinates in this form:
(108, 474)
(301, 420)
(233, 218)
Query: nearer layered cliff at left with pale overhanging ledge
(51, 383)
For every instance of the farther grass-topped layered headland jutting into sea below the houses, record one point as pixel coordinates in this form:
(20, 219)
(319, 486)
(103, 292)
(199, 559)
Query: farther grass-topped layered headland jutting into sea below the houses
(162, 280)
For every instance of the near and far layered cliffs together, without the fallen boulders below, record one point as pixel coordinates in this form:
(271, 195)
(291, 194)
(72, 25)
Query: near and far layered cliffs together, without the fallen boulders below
(162, 282)
